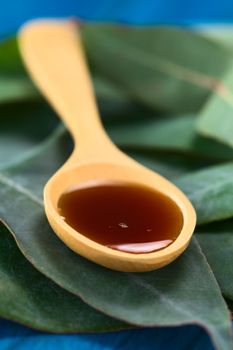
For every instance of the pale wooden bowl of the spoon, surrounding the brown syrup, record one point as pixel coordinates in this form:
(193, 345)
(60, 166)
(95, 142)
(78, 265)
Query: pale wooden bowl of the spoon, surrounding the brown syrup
(133, 173)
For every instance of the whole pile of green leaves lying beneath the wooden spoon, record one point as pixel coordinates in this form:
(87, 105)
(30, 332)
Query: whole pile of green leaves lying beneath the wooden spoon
(166, 98)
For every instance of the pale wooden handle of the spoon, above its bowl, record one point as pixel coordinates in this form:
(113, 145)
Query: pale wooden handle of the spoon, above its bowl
(53, 54)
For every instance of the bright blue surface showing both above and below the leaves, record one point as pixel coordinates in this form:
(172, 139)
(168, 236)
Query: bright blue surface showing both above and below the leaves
(13, 13)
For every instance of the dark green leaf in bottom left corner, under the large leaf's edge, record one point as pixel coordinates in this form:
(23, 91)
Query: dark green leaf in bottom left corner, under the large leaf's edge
(28, 297)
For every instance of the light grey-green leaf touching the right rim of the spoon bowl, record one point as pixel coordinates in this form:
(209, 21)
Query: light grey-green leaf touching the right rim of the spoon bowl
(211, 192)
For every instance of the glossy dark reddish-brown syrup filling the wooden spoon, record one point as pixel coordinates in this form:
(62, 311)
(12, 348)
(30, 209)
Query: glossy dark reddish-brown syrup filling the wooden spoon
(126, 217)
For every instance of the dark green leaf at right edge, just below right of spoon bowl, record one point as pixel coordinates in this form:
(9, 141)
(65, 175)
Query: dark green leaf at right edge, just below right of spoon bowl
(217, 243)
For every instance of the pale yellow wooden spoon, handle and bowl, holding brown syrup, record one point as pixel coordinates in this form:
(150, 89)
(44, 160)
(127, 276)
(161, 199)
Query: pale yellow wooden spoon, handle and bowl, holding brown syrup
(54, 57)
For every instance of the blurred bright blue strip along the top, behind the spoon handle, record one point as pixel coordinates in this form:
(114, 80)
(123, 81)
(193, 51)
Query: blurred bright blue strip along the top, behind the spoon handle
(14, 12)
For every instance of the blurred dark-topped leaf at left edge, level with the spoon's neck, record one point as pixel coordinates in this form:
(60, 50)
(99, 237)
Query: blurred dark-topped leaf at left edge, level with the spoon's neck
(23, 126)
